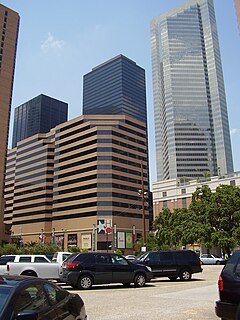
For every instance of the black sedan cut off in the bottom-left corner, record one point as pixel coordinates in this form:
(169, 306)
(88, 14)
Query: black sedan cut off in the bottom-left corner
(30, 298)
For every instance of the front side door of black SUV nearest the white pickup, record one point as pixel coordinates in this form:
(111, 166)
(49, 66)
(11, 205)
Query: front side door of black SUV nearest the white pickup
(121, 268)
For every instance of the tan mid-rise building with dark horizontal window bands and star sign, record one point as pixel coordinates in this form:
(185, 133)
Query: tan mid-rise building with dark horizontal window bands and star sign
(79, 181)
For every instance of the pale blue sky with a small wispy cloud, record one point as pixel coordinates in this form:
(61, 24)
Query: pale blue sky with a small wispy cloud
(60, 41)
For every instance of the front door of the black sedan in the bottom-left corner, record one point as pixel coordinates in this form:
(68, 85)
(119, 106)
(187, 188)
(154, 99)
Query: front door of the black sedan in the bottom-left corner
(32, 297)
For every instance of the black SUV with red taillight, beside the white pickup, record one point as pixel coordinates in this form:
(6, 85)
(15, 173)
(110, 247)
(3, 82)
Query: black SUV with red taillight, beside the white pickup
(82, 270)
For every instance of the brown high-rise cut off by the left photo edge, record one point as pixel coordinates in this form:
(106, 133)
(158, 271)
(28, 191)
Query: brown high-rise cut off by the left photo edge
(9, 25)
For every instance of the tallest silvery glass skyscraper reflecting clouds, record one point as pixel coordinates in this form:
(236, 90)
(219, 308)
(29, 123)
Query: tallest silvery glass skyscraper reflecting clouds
(191, 120)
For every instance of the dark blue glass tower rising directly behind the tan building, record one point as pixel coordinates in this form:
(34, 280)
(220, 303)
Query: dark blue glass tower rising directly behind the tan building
(116, 87)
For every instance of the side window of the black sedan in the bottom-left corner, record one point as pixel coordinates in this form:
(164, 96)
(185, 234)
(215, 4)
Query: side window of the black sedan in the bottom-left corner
(31, 298)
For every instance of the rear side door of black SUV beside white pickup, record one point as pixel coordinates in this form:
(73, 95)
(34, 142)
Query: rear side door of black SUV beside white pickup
(102, 268)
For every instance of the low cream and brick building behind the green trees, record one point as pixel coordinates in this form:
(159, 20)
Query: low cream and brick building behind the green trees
(177, 193)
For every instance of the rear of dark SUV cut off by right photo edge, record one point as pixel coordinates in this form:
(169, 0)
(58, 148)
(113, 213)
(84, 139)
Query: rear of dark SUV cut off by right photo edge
(228, 306)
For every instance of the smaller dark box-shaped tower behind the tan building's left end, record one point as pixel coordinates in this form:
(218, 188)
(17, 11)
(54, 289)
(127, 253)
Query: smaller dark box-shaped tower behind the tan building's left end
(38, 115)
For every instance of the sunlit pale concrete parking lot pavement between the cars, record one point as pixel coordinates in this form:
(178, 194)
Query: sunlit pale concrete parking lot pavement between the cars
(161, 299)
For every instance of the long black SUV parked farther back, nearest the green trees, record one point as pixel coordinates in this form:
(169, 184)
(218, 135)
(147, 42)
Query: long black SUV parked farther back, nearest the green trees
(172, 263)
